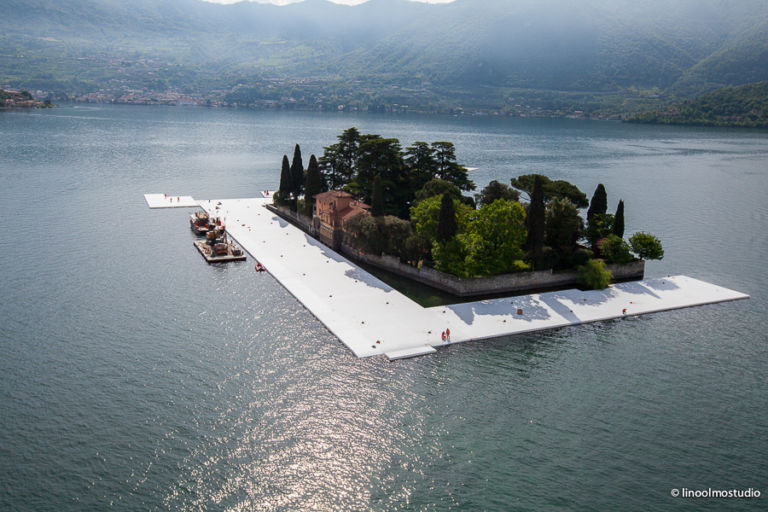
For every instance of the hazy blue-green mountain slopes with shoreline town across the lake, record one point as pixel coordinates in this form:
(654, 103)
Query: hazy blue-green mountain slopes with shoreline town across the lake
(484, 53)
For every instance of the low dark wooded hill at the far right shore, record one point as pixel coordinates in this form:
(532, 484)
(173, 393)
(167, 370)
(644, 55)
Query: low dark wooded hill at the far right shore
(742, 106)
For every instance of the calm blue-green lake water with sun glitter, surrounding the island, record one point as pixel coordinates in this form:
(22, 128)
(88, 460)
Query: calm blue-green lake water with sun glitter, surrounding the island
(133, 376)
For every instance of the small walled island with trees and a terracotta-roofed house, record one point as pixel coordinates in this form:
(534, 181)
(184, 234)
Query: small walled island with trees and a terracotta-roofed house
(406, 211)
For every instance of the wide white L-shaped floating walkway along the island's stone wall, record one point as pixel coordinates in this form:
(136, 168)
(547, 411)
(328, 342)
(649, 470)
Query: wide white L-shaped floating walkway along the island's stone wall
(372, 318)
